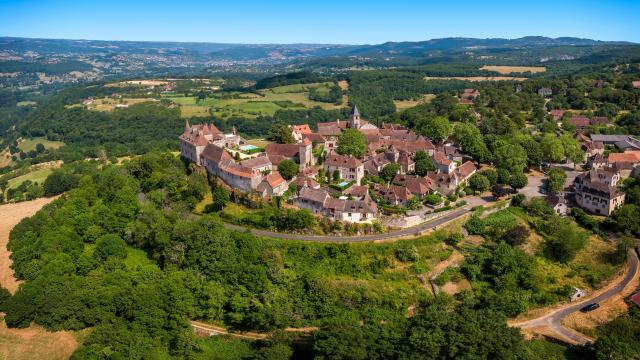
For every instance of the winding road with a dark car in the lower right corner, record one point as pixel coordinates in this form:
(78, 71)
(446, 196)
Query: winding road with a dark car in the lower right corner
(554, 319)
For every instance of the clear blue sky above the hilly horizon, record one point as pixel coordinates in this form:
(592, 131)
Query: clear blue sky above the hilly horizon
(321, 21)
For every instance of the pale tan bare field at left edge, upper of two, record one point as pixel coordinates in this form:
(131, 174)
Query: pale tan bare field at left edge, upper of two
(10, 215)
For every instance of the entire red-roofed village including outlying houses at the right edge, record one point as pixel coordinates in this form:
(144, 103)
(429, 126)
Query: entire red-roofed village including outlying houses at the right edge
(348, 188)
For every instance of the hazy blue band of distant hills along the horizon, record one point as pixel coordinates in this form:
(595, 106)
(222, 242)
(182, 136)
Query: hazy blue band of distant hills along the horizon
(257, 51)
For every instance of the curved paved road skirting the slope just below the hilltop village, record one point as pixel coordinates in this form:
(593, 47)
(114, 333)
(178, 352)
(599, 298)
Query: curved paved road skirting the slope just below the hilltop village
(416, 230)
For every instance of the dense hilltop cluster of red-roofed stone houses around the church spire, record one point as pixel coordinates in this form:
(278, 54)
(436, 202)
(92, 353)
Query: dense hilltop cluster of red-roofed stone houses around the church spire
(230, 158)
